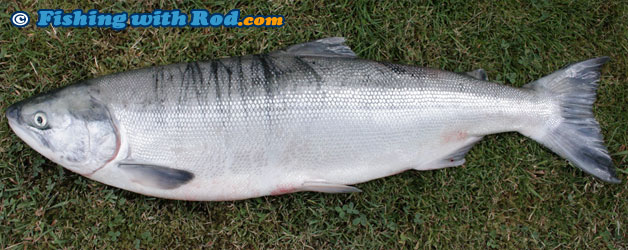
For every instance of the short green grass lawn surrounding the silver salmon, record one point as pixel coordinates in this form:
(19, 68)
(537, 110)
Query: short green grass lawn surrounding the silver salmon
(511, 192)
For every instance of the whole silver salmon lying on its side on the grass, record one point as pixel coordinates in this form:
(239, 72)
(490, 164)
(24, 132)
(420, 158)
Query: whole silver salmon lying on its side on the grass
(311, 117)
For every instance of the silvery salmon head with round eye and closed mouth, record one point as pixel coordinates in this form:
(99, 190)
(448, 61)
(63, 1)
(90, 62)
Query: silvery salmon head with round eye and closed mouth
(69, 126)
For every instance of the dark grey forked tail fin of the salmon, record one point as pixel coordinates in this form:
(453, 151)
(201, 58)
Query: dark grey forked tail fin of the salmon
(576, 134)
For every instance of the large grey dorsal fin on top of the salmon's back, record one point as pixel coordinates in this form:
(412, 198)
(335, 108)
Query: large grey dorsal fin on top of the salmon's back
(326, 47)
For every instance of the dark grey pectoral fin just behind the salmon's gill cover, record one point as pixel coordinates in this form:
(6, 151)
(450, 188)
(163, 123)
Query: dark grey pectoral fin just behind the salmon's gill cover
(156, 176)
